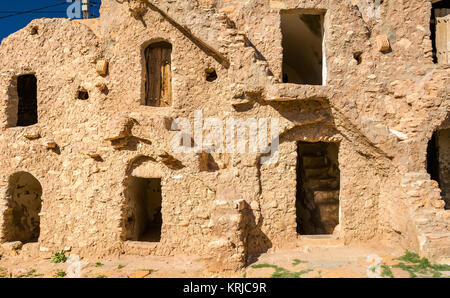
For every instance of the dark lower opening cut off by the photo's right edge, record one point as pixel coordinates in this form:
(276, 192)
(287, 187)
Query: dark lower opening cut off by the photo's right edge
(438, 162)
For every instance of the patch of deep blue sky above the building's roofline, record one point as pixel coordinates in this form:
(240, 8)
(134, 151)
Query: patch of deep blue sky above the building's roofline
(12, 24)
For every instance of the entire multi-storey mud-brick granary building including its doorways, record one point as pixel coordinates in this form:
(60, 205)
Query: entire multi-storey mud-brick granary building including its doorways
(360, 89)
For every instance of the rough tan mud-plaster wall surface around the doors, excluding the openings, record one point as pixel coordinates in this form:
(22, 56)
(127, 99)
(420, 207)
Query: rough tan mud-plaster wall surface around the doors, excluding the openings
(382, 112)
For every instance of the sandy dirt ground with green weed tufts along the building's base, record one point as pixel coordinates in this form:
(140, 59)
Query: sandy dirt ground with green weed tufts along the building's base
(306, 262)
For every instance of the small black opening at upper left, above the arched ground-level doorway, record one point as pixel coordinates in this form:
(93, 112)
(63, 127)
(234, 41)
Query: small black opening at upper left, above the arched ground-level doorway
(27, 108)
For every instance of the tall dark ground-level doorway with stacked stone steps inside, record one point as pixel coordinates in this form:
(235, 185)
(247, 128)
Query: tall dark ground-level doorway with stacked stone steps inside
(318, 183)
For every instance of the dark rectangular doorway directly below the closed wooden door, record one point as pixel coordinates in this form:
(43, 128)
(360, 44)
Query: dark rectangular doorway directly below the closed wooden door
(144, 218)
